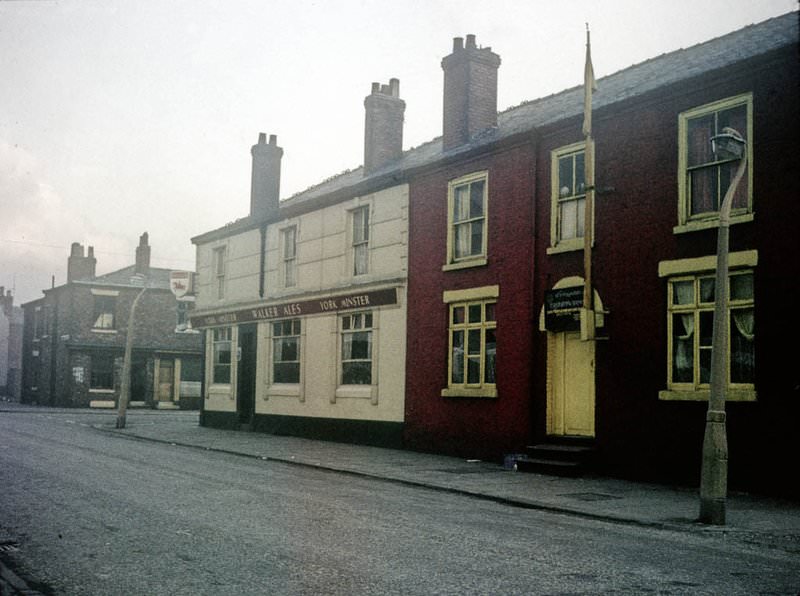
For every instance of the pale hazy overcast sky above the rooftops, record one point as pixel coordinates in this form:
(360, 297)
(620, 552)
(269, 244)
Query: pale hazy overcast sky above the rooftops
(119, 117)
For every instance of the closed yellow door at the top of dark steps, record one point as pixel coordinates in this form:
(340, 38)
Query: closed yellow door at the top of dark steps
(571, 387)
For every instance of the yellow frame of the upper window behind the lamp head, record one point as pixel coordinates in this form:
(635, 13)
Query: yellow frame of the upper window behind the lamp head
(688, 222)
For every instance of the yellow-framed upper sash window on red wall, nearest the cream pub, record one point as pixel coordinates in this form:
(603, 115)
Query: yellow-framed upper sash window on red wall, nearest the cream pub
(467, 220)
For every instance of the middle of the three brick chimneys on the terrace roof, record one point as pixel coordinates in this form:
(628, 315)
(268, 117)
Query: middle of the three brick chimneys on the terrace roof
(383, 127)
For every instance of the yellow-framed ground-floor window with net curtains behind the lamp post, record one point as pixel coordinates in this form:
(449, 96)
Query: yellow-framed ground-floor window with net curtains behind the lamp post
(691, 321)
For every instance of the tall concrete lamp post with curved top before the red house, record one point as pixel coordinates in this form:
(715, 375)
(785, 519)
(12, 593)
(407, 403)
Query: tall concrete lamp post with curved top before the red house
(714, 471)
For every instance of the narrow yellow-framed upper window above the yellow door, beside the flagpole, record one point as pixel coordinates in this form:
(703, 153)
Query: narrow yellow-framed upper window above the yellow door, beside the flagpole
(568, 197)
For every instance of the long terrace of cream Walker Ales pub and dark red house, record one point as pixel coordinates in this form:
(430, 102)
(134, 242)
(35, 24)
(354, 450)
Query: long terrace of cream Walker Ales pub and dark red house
(491, 300)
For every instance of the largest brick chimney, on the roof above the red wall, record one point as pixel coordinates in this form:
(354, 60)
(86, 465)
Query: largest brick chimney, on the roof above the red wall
(470, 92)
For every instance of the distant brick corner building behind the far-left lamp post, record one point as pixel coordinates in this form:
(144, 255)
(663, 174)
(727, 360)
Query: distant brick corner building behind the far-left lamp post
(74, 338)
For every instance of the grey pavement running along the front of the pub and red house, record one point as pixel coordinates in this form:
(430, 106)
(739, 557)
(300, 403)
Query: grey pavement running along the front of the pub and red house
(753, 519)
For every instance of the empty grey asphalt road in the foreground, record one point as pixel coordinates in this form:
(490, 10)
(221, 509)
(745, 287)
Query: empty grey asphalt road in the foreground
(97, 513)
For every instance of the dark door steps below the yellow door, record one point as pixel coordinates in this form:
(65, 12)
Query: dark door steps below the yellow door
(567, 456)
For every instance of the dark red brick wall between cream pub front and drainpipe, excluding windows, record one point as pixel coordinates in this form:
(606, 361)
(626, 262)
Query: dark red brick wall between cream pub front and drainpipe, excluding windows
(471, 427)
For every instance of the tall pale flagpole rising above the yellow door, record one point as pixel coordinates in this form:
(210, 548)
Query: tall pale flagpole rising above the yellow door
(588, 87)
